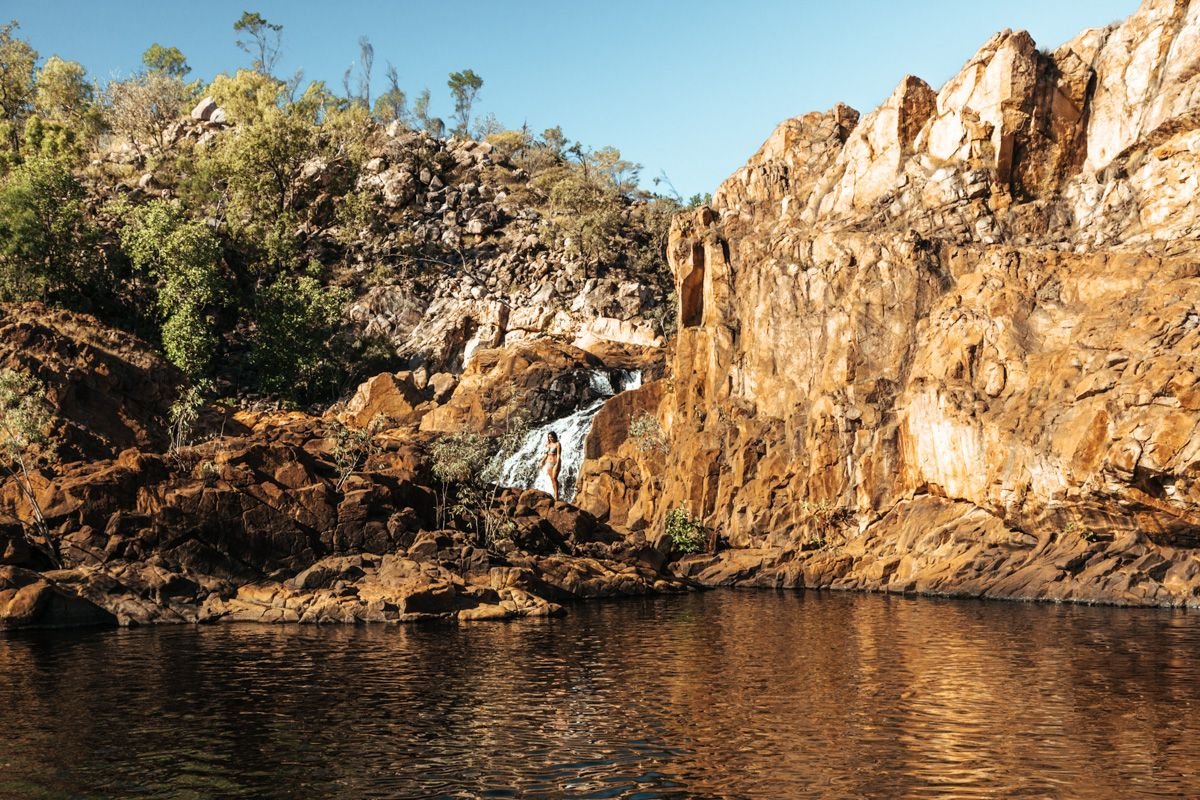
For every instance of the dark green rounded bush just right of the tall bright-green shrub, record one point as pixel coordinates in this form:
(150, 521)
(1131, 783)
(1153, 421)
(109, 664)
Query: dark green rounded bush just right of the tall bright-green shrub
(293, 346)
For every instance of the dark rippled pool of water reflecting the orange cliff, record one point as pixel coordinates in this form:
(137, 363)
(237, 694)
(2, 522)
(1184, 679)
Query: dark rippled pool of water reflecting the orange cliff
(728, 695)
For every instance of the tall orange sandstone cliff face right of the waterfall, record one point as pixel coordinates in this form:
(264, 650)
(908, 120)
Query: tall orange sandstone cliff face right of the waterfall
(951, 346)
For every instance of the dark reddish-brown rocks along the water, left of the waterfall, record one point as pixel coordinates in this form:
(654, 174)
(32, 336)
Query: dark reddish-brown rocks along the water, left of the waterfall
(261, 521)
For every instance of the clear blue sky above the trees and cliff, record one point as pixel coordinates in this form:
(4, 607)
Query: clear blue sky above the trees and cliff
(691, 88)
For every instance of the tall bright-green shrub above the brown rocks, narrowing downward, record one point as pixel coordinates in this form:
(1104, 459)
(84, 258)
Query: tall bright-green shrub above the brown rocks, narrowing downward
(184, 257)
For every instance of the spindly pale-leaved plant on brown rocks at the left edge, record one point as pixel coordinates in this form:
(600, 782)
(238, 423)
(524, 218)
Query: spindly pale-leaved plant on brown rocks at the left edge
(25, 419)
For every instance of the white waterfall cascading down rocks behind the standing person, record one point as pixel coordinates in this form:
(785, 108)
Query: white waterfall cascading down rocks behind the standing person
(520, 471)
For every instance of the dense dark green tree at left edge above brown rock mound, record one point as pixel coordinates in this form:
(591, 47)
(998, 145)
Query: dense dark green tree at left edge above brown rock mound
(46, 242)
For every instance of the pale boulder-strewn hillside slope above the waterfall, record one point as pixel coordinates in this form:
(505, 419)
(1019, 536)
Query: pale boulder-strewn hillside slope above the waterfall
(464, 197)
